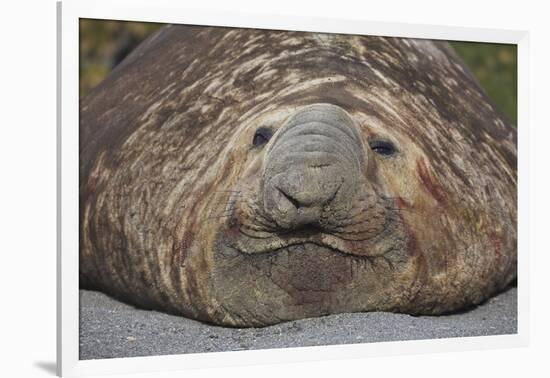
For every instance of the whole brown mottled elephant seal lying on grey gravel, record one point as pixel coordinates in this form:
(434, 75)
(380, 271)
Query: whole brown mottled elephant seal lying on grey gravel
(248, 177)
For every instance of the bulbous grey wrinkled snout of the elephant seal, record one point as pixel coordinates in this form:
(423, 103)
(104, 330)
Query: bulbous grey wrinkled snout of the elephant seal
(312, 165)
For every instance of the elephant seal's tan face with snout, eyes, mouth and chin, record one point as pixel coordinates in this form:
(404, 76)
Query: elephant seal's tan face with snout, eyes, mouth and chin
(312, 226)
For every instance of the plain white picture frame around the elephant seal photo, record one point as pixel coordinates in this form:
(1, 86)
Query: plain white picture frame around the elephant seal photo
(170, 11)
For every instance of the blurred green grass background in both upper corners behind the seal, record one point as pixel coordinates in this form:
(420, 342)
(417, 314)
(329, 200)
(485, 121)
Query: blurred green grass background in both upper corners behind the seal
(104, 43)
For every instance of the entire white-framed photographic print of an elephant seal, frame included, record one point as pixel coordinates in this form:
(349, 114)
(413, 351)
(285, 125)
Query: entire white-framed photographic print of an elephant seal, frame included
(284, 188)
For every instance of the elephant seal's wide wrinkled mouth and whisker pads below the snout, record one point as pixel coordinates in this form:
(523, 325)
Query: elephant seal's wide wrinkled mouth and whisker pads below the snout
(372, 230)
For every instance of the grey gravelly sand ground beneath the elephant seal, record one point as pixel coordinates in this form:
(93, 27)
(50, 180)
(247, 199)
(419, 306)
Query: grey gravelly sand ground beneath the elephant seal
(109, 328)
